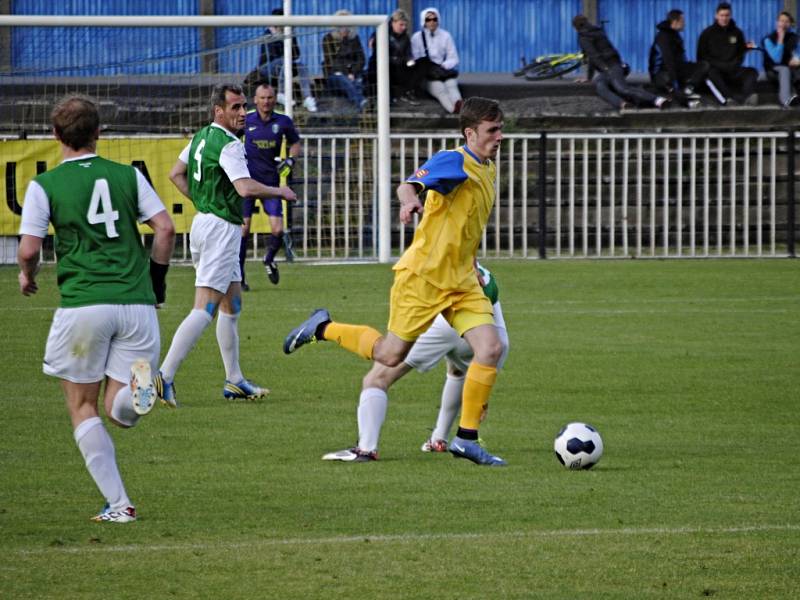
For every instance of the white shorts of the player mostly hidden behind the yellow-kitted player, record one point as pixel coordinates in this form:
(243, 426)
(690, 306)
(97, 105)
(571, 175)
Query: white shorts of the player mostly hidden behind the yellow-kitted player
(442, 341)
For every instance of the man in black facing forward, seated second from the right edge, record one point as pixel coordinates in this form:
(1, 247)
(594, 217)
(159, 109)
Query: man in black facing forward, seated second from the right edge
(722, 45)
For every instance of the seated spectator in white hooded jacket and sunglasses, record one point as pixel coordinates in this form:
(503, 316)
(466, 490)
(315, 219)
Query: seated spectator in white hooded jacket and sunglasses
(436, 44)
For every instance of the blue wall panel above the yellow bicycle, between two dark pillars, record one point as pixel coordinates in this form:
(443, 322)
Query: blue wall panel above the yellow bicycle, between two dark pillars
(492, 36)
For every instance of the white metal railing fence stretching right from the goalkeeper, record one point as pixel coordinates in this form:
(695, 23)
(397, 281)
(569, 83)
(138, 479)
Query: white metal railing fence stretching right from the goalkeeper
(571, 195)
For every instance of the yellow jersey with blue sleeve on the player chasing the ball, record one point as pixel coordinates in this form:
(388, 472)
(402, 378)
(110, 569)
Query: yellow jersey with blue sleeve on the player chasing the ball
(459, 200)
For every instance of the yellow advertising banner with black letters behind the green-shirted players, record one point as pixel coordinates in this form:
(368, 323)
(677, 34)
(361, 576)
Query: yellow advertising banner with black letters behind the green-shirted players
(22, 160)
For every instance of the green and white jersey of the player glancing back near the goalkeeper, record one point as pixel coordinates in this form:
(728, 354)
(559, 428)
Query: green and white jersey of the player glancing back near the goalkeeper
(215, 158)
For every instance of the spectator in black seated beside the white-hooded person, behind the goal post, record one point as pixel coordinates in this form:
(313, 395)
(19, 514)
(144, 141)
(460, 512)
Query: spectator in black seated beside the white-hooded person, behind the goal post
(403, 74)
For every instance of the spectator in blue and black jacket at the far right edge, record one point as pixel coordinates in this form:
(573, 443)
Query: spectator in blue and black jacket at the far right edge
(781, 60)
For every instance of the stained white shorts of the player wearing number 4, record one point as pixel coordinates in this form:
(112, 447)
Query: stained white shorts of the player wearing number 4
(89, 342)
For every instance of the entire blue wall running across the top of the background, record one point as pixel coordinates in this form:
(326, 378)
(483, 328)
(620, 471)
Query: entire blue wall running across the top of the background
(490, 36)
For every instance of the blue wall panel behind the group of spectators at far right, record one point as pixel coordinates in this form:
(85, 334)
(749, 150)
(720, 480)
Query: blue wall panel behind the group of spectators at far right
(632, 24)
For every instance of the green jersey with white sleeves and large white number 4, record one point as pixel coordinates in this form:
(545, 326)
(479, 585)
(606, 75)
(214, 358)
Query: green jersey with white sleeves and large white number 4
(94, 205)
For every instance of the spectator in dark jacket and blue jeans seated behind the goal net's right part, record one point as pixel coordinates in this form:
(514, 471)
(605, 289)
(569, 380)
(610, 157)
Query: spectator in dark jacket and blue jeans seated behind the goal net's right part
(343, 63)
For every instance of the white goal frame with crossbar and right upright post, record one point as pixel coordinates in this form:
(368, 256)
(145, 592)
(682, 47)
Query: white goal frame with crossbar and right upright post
(380, 22)
